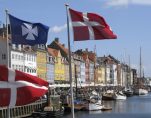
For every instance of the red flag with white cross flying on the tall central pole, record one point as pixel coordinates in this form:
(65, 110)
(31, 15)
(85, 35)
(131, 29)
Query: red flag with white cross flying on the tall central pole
(90, 26)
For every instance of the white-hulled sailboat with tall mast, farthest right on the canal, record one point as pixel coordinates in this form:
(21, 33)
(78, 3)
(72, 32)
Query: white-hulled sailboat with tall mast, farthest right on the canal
(139, 89)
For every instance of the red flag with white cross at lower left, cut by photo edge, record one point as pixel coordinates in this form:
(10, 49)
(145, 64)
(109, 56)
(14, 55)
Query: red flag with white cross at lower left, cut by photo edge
(18, 88)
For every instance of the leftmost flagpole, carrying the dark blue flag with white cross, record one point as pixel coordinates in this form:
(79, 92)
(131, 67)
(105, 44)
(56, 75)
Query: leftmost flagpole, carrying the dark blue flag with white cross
(7, 41)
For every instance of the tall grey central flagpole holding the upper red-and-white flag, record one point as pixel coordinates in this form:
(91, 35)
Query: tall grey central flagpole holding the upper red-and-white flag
(70, 69)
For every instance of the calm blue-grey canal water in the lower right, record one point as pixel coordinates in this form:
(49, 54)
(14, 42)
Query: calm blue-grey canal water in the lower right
(133, 107)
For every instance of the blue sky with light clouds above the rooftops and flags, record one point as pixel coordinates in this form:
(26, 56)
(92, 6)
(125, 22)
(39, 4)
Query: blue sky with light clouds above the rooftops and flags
(130, 20)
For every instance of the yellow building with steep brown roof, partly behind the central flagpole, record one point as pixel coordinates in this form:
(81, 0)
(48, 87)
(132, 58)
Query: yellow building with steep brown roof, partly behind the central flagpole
(62, 62)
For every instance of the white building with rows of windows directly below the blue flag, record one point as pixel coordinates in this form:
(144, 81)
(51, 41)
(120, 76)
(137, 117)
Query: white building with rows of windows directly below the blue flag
(22, 58)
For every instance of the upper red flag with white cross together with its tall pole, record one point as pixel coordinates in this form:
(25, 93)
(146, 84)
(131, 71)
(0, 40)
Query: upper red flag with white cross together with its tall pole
(86, 26)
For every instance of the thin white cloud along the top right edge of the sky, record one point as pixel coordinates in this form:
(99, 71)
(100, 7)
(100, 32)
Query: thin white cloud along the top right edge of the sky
(127, 2)
